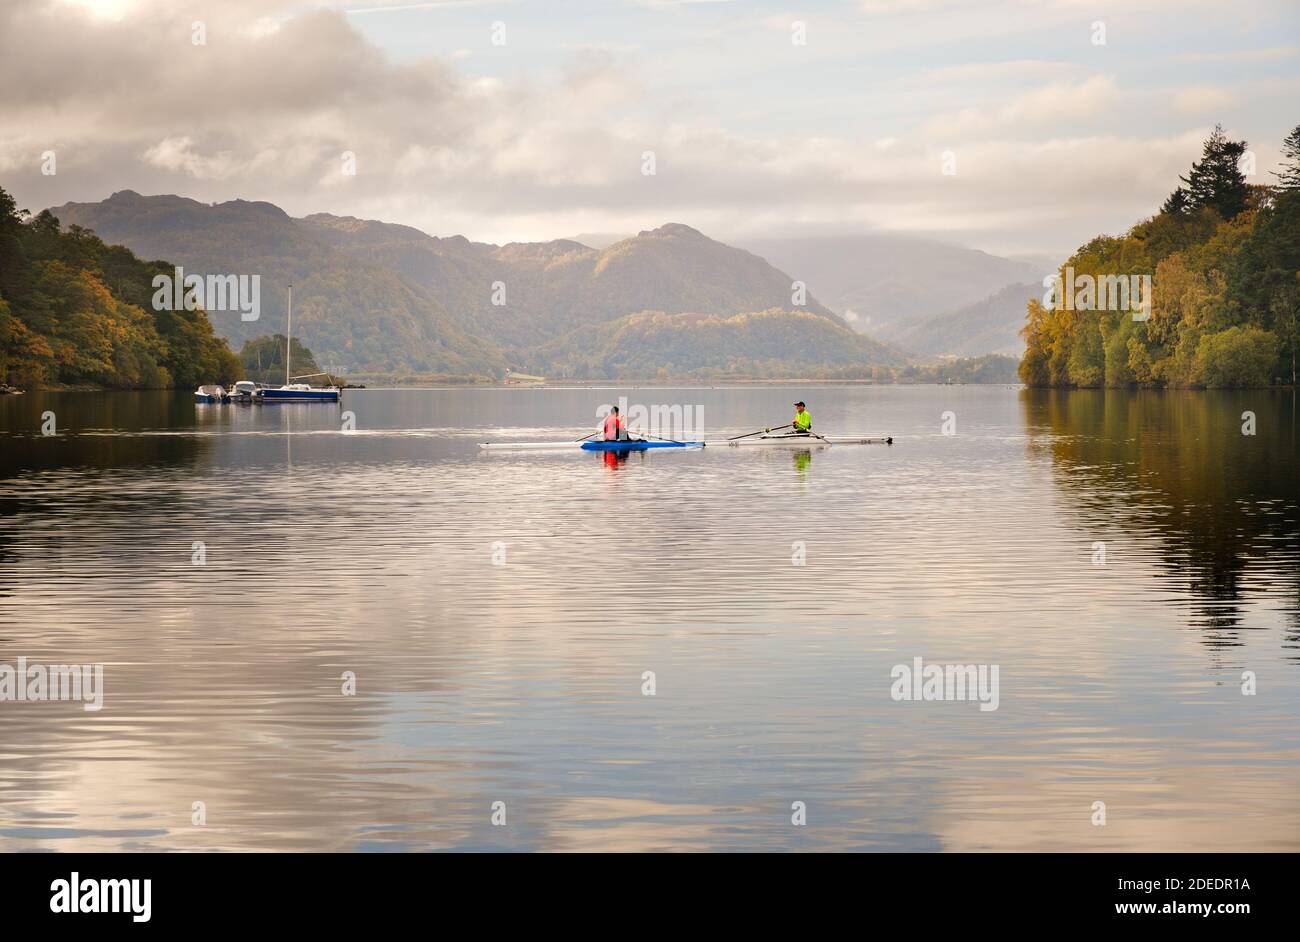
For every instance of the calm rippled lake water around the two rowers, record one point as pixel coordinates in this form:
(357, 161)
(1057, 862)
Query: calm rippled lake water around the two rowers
(500, 613)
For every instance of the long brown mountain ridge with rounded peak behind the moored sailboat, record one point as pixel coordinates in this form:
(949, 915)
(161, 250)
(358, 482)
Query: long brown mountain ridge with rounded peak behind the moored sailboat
(387, 298)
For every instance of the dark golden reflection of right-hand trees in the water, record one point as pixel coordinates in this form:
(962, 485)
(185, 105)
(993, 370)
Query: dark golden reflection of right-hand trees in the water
(1223, 507)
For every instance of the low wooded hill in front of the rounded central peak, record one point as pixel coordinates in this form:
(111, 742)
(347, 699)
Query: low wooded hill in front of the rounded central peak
(769, 344)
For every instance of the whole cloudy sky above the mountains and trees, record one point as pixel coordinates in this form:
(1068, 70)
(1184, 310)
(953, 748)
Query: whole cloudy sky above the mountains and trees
(1015, 127)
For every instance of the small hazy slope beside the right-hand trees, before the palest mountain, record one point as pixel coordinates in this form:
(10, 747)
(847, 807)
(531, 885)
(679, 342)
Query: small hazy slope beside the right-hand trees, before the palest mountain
(989, 327)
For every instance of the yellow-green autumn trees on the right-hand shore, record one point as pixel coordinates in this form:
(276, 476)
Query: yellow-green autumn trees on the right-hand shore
(1223, 262)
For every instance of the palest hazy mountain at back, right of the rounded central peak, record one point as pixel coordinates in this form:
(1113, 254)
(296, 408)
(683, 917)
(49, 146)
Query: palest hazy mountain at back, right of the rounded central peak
(885, 285)
